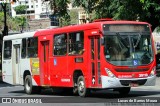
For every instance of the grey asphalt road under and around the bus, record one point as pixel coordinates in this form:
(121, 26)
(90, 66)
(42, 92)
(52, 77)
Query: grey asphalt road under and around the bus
(100, 98)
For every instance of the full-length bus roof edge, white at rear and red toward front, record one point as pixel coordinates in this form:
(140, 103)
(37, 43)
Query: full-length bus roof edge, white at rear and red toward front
(72, 28)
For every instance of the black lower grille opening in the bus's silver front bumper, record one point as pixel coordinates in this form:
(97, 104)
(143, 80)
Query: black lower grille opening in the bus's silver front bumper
(127, 82)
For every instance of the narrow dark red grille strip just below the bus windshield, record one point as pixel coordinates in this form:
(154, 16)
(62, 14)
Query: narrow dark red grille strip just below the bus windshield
(132, 70)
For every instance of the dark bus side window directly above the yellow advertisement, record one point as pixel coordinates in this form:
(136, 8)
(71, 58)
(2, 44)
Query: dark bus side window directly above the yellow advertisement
(32, 47)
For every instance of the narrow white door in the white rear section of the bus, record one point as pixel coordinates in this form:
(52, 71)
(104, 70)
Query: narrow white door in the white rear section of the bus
(16, 64)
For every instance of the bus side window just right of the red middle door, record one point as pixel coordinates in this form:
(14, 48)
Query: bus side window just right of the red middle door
(60, 44)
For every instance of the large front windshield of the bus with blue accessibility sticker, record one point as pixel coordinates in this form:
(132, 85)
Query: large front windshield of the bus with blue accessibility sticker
(128, 48)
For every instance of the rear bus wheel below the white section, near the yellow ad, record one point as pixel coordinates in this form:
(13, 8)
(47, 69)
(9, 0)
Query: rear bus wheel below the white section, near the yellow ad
(28, 87)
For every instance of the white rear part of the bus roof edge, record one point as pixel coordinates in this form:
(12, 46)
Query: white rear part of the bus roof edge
(19, 36)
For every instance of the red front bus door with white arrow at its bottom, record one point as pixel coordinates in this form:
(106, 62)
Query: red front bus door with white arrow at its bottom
(95, 60)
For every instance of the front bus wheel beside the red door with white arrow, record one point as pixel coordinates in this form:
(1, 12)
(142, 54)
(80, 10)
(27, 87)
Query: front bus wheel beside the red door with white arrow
(82, 90)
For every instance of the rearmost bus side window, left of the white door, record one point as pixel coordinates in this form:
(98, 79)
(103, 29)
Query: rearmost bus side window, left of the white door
(7, 49)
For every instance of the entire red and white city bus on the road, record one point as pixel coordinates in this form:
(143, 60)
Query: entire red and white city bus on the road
(114, 55)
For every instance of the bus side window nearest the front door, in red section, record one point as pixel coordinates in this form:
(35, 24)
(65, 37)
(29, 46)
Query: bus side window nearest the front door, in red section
(76, 43)
